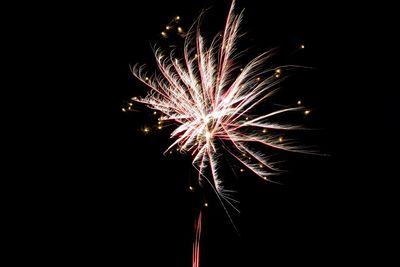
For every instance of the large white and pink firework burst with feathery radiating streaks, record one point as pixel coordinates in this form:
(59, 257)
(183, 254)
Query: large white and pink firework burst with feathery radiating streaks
(212, 102)
